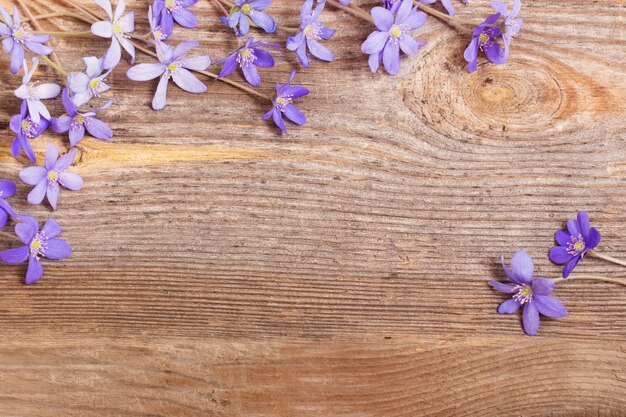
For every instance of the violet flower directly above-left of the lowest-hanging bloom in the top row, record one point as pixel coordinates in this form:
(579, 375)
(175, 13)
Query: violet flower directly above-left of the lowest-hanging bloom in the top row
(249, 57)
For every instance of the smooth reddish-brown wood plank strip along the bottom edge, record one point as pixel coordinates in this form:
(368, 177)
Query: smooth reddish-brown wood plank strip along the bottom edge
(173, 377)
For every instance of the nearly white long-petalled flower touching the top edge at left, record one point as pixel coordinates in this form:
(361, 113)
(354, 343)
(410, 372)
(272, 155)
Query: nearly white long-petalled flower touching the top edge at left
(116, 28)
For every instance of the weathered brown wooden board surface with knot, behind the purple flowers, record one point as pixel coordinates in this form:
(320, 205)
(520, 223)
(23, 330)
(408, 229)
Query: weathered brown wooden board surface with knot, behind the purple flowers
(221, 269)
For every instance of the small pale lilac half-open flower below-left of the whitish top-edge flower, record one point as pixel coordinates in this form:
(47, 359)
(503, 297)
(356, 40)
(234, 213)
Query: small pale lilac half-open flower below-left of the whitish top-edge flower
(86, 85)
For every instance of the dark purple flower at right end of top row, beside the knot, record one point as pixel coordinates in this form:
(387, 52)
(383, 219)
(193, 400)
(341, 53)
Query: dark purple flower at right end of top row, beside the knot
(484, 38)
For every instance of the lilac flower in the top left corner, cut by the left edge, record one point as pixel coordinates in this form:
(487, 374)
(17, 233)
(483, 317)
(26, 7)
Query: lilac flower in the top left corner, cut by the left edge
(19, 36)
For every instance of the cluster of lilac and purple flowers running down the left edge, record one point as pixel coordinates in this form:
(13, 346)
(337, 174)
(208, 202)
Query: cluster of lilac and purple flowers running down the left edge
(34, 118)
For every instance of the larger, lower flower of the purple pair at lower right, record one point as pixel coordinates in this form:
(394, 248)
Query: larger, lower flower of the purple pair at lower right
(533, 294)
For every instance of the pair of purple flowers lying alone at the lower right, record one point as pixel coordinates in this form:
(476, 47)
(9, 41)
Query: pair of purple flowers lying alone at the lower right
(533, 294)
